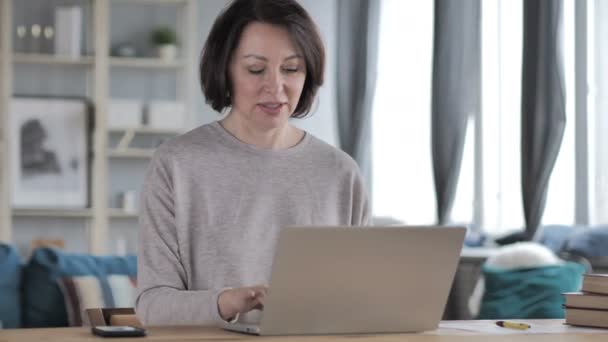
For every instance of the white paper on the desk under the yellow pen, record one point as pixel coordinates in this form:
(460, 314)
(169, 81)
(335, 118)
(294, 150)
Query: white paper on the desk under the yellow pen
(490, 327)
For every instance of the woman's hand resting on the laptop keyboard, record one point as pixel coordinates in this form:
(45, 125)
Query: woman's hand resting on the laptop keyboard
(241, 300)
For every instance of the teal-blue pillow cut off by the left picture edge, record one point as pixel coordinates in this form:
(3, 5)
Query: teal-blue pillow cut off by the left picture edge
(10, 283)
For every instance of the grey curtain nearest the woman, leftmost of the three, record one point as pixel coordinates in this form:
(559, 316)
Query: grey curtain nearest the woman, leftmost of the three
(357, 41)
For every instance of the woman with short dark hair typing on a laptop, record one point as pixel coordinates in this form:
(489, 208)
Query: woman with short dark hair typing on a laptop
(216, 198)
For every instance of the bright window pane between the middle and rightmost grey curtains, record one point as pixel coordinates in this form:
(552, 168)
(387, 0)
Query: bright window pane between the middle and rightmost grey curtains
(502, 29)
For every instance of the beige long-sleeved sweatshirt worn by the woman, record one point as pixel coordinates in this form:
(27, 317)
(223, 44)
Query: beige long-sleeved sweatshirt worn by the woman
(212, 208)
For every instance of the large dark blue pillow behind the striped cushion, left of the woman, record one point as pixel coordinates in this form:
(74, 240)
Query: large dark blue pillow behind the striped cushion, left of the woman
(43, 301)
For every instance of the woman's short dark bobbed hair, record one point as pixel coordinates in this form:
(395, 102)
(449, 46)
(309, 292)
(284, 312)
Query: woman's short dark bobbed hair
(225, 35)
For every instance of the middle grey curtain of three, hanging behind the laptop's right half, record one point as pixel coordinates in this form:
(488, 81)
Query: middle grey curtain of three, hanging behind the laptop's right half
(456, 91)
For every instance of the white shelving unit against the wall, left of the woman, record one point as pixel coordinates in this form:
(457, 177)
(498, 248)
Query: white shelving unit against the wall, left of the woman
(98, 67)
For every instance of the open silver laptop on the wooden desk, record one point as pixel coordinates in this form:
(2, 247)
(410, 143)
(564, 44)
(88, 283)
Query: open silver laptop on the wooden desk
(343, 280)
